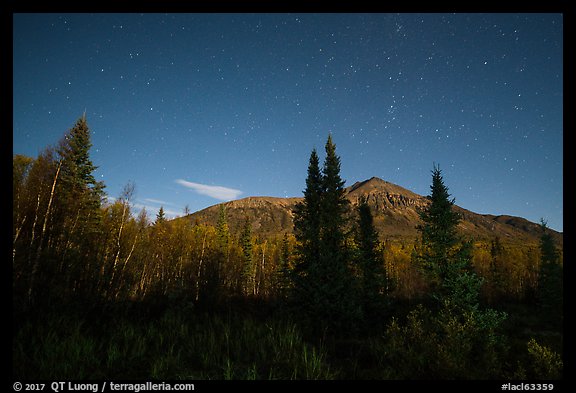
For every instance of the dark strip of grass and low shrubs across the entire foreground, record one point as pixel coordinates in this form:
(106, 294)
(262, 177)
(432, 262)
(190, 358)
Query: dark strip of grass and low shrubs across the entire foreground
(187, 344)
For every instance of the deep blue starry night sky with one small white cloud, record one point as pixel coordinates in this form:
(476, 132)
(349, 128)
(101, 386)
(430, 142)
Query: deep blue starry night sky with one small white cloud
(195, 109)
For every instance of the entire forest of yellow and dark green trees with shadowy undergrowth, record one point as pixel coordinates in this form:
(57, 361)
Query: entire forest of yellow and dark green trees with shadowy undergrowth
(442, 307)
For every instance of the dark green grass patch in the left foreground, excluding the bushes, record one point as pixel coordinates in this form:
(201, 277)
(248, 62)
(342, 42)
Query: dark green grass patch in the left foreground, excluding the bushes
(172, 347)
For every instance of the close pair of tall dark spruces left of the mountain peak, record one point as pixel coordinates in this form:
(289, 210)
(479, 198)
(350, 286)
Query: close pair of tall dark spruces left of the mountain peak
(323, 282)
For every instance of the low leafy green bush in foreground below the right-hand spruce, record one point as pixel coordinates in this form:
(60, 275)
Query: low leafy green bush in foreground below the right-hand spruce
(442, 346)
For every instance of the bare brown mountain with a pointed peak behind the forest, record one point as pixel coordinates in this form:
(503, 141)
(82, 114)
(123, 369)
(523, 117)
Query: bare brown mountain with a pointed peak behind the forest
(395, 211)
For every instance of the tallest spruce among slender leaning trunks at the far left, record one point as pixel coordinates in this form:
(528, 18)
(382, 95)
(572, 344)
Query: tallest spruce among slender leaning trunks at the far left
(71, 224)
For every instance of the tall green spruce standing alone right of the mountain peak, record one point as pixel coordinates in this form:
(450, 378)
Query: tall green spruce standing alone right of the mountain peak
(470, 336)
